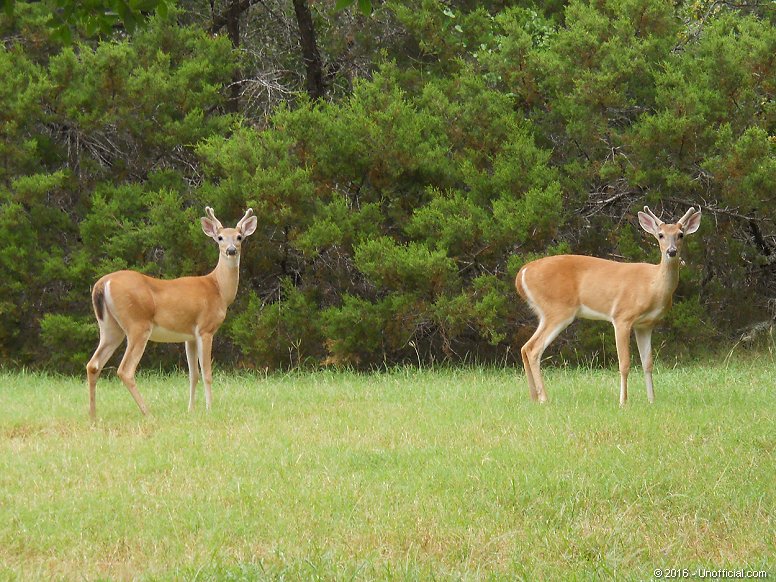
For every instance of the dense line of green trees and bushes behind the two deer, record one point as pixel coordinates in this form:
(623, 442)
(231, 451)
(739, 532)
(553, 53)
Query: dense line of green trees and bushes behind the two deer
(404, 160)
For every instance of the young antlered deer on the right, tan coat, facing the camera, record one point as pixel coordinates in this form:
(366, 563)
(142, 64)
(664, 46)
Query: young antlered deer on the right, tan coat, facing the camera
(632, 296)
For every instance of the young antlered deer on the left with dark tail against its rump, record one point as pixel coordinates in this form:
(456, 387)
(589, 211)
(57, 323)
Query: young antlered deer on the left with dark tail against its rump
(131, 305)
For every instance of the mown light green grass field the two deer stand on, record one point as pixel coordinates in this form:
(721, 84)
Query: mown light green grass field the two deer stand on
(451, 474)
